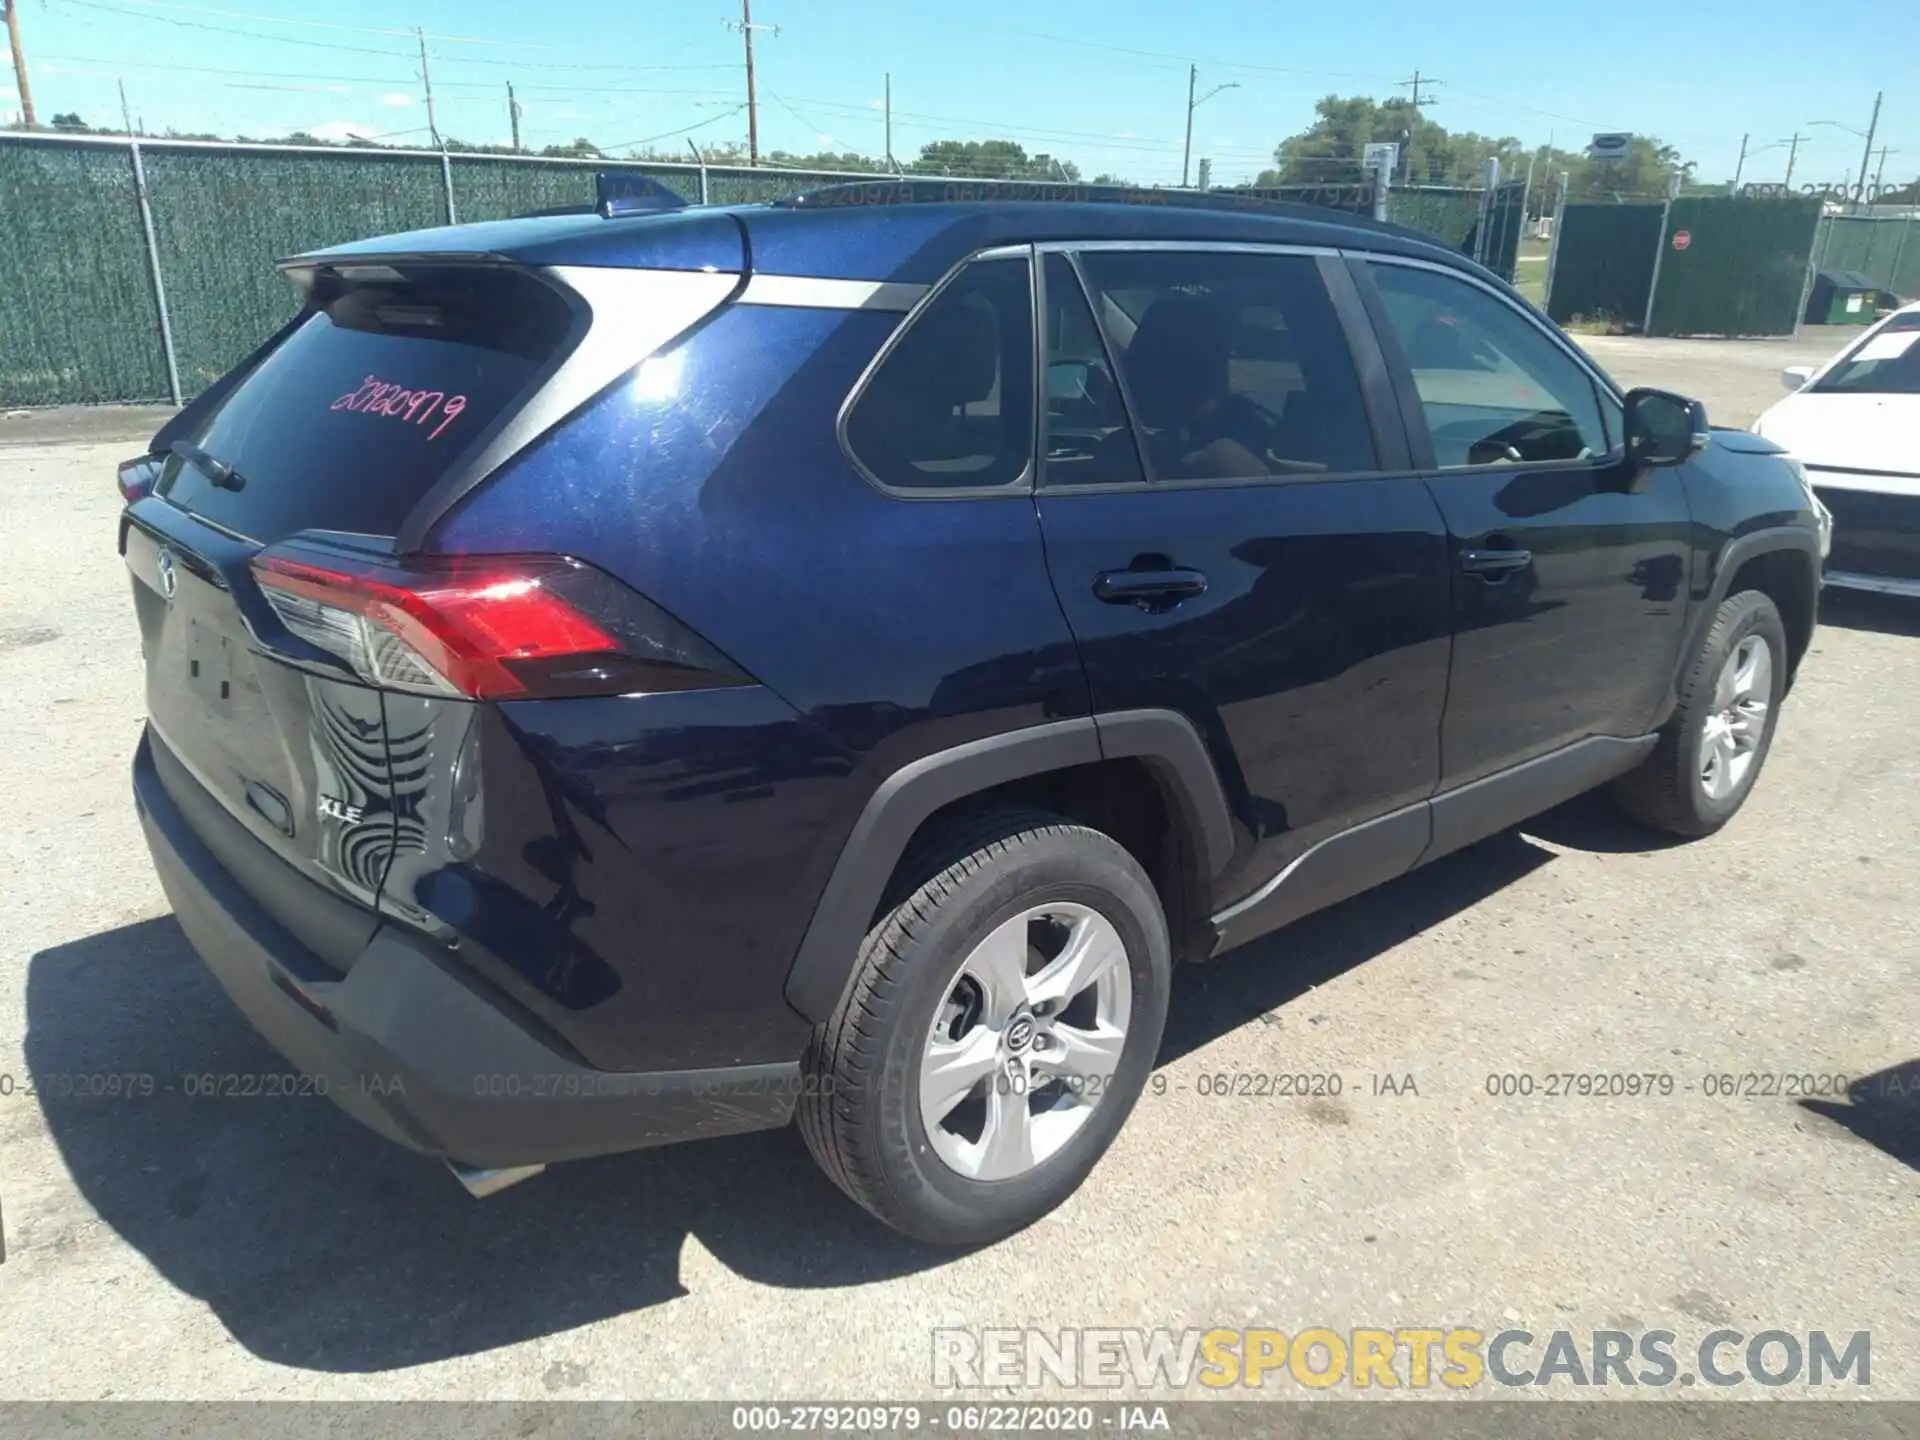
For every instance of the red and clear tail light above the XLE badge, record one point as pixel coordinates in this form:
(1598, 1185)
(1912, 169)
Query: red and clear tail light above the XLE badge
(489, 627)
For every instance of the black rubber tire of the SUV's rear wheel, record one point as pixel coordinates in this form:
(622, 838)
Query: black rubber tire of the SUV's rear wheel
(861, 1107)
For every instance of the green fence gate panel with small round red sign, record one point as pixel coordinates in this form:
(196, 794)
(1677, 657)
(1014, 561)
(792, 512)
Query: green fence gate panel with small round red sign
(1744, 270)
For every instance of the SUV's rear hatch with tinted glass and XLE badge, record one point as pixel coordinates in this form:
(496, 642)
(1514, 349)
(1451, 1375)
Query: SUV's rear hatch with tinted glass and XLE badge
(270, 723)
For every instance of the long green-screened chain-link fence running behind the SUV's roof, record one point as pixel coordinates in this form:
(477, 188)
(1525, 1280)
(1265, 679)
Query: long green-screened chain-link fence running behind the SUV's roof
(145, 272)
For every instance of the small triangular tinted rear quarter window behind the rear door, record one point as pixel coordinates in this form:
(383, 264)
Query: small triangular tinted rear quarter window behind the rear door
(951, 406)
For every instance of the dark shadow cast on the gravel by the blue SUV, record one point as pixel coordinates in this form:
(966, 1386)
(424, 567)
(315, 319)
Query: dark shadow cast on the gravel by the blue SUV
(325, 1247)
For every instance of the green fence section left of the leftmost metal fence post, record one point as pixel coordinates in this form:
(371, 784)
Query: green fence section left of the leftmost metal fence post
(78, 322)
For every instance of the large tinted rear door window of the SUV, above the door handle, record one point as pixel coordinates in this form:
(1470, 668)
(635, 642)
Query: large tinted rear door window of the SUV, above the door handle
(1236, 364)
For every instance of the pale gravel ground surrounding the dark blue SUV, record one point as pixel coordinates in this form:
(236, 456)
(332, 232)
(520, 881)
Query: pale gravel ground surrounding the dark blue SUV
(270, 1249)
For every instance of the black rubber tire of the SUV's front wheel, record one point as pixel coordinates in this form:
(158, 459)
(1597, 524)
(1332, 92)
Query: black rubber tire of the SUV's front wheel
(1671, 788)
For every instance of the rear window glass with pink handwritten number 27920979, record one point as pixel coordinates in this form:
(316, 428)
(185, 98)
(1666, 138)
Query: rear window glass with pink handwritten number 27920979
(372, 400)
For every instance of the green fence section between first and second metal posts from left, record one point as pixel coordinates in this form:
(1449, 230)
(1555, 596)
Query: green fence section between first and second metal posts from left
(224, 220)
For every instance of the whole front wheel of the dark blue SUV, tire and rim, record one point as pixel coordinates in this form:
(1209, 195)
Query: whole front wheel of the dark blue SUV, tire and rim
(1716, 744)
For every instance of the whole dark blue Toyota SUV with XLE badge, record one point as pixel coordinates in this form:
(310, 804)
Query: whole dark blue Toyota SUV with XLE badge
(619, 681)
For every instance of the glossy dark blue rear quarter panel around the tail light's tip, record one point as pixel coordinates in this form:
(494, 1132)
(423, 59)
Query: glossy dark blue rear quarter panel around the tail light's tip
(880, 629)
